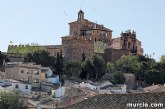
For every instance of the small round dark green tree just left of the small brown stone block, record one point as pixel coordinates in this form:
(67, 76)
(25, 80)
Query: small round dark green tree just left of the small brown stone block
(118, 78)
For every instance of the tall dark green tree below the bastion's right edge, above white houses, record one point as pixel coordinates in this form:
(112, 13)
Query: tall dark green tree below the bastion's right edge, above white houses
(98, 67)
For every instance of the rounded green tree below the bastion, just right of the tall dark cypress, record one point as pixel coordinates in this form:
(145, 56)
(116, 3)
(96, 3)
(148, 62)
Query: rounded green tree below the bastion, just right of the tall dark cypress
(72, 68)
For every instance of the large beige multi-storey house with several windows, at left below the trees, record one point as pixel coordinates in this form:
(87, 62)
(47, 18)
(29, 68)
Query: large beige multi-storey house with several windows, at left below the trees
(28, 72)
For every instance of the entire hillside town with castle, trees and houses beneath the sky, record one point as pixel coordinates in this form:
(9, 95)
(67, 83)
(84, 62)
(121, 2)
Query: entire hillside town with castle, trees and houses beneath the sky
(89, 70)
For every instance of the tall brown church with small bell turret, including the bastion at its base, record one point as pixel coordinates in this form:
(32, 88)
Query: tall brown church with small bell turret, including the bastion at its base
(82, 37)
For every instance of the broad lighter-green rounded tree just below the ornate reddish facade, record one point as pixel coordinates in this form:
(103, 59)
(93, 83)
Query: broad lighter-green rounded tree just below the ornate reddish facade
(128, 64)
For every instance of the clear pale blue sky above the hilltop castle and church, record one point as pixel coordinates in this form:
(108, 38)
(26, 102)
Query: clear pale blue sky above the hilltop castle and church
(45, 21)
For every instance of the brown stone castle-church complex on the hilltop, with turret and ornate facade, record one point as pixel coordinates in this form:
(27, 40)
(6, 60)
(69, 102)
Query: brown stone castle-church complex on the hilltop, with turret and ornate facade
(89, 38)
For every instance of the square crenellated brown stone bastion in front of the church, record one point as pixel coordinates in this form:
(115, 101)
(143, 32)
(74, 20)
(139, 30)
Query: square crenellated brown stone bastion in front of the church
(73, 48)
